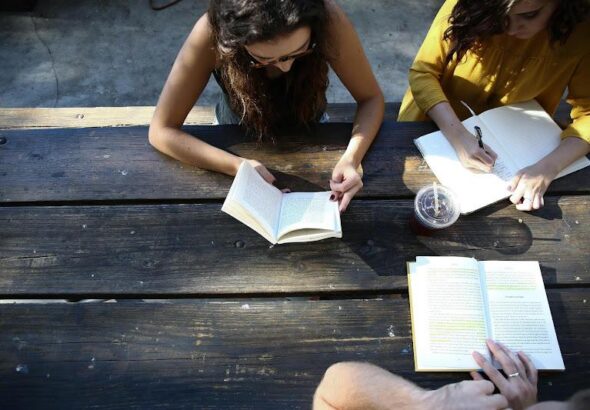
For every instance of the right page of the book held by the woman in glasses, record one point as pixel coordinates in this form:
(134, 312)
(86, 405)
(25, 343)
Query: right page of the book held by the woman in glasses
(308, 210)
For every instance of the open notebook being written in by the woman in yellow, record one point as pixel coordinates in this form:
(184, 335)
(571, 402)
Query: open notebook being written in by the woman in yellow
(521, 134)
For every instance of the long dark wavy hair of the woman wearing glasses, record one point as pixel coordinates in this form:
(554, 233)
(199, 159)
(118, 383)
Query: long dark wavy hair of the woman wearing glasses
(252, 96)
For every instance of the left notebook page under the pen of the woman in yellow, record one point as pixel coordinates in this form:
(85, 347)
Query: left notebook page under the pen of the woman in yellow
(475, 189)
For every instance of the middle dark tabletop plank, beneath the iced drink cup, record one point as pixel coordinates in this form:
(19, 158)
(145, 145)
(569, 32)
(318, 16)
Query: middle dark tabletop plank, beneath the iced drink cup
(196, 249)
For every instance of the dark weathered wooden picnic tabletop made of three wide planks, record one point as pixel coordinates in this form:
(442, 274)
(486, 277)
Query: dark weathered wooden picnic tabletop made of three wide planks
(124, 286)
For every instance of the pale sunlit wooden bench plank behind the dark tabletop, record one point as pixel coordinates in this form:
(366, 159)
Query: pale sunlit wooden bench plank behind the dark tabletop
(86, 117)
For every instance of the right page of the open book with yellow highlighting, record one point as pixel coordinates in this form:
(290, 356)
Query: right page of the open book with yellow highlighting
(519, 311)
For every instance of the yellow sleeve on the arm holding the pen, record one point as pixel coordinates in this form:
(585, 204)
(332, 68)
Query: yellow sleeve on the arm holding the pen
(426, 71)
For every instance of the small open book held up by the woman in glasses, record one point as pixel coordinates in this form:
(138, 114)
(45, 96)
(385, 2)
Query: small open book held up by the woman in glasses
(281, 217)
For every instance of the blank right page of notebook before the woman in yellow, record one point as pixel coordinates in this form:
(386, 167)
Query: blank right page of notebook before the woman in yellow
(527, 134)
